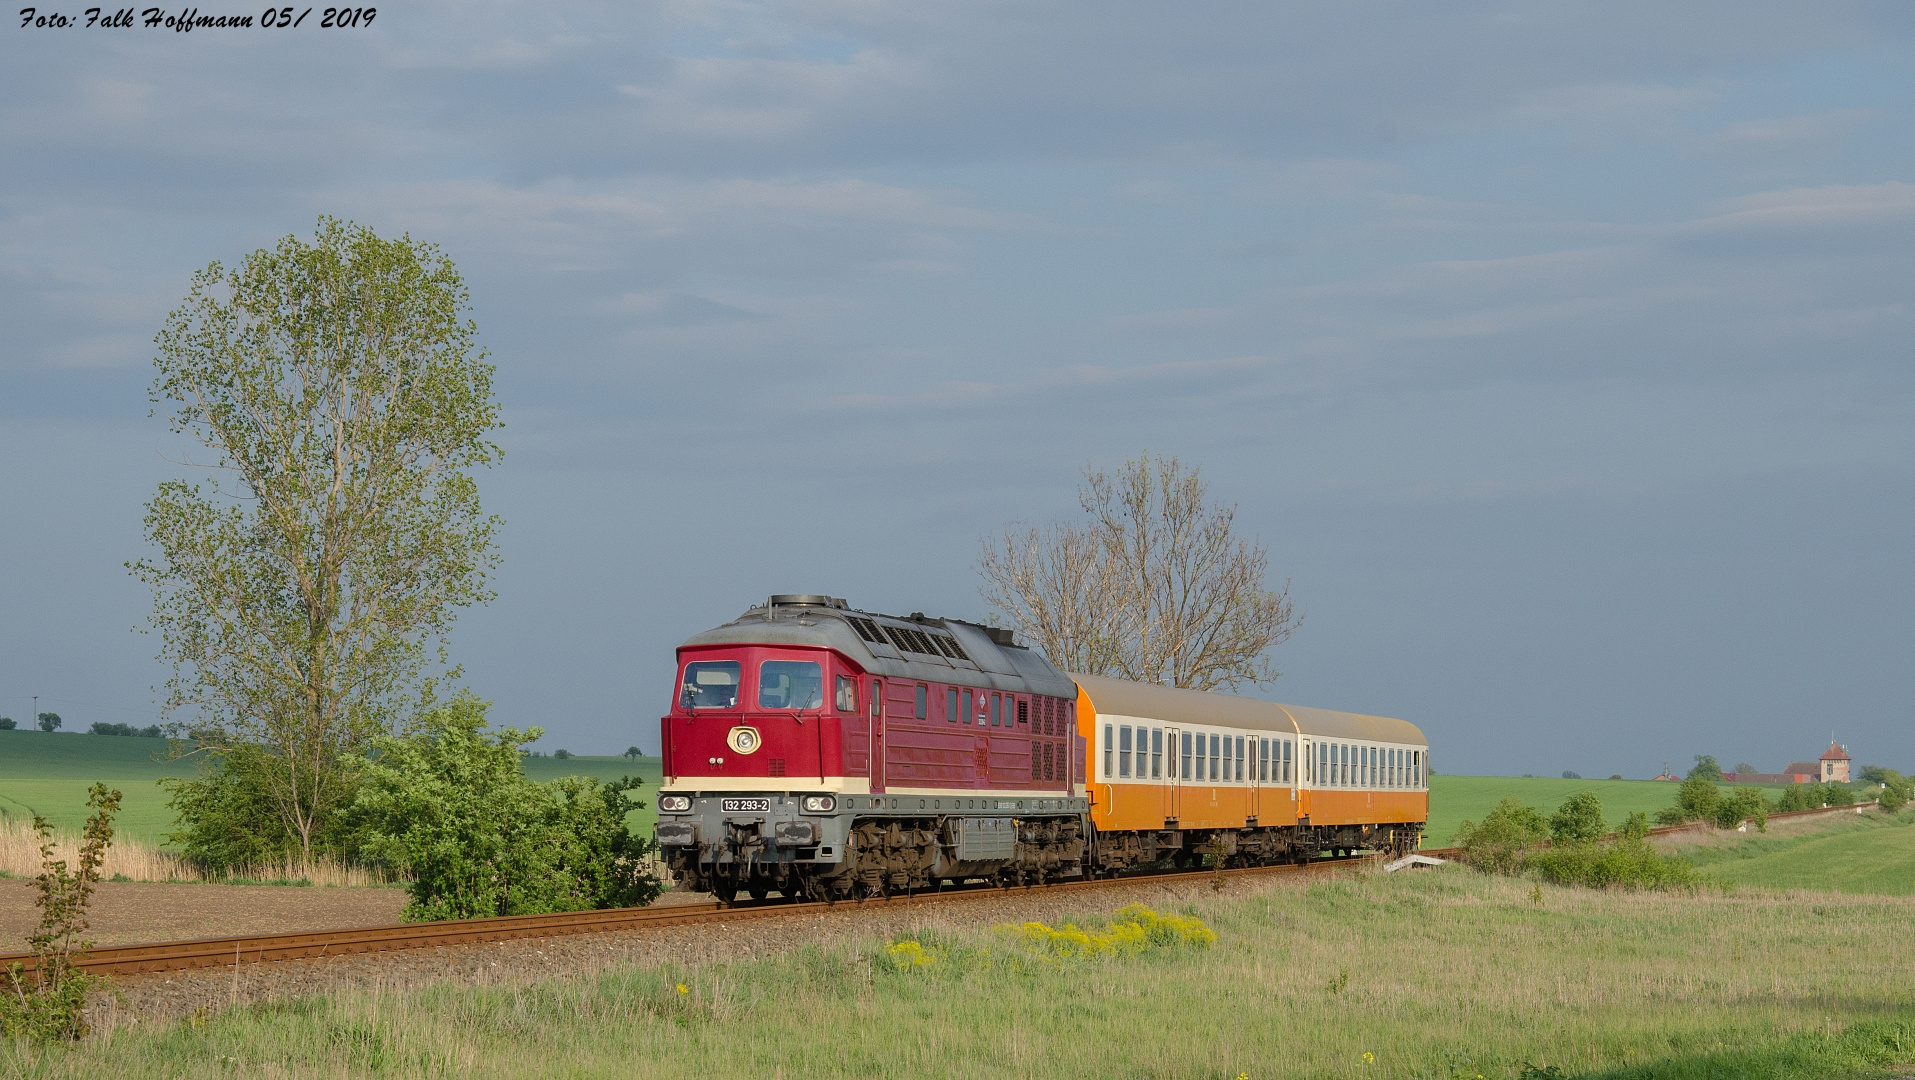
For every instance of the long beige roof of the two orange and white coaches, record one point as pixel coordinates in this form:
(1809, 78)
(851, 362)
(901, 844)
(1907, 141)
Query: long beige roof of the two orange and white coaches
(1173, 706)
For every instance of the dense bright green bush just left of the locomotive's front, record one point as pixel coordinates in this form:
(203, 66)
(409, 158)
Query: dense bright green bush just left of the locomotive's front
(453, 807)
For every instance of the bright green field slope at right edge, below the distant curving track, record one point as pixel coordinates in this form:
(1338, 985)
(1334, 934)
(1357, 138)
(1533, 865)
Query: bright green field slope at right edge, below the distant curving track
(1866, 853)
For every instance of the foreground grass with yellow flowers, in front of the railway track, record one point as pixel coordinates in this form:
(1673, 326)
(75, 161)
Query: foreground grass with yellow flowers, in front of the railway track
(1416, 976)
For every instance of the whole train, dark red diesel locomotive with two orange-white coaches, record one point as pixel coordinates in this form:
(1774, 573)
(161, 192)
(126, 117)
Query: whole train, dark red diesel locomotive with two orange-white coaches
(834, 754)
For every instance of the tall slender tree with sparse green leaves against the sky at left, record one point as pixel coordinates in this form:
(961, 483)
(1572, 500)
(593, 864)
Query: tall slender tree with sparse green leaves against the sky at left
(300, 591)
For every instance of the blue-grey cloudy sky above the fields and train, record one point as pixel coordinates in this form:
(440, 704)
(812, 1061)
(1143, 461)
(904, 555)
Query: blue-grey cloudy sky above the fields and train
(1560, 355)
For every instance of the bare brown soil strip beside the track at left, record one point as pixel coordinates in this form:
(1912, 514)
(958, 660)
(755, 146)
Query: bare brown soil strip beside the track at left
(127, 912)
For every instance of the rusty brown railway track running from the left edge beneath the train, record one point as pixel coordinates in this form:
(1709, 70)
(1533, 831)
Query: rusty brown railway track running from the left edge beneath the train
(315, 945)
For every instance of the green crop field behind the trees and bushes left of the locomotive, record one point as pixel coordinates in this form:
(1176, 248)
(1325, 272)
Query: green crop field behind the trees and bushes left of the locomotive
(49, 775)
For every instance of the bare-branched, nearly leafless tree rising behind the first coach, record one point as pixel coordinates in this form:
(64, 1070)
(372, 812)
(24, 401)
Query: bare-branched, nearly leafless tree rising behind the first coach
(1154, 587)
